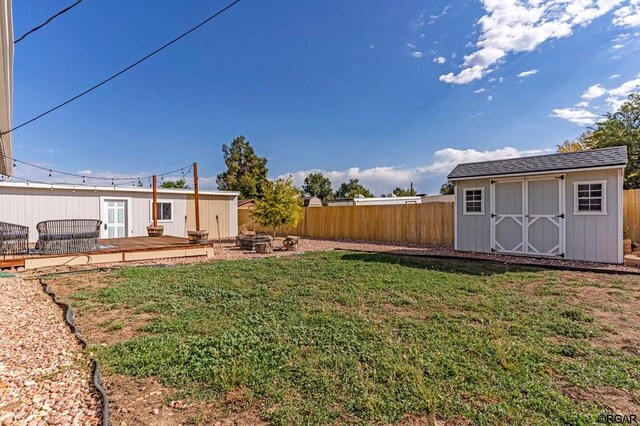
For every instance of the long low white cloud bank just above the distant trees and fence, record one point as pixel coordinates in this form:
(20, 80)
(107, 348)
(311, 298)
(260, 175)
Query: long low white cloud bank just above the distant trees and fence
(426, 178)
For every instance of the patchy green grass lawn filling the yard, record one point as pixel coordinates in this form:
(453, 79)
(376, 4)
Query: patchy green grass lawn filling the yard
(340, 337)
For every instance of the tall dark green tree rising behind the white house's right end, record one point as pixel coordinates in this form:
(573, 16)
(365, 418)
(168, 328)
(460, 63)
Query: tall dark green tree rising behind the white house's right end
(246, 172)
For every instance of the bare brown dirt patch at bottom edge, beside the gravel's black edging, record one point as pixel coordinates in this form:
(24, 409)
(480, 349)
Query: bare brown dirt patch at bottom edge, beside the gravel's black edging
(148, 402)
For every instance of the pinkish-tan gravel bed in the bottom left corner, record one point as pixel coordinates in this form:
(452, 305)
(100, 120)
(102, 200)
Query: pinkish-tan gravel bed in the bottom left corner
(45, 378)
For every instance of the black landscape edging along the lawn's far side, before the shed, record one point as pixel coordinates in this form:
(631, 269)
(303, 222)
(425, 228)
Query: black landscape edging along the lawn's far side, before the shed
(499, 262)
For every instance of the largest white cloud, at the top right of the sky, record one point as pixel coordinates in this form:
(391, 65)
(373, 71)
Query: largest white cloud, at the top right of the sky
(512, 26)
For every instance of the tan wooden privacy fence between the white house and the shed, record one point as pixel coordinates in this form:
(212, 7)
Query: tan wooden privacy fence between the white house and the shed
(428, 223)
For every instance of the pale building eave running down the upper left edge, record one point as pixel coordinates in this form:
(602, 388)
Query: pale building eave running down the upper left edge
(6, 86)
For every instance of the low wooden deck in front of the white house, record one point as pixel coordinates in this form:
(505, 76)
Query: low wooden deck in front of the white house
(114, 250)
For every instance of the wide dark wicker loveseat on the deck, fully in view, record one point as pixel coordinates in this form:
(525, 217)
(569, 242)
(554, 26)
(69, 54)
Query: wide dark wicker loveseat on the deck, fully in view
(68, 236)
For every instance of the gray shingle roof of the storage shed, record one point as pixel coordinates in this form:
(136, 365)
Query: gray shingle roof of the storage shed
(615, 156)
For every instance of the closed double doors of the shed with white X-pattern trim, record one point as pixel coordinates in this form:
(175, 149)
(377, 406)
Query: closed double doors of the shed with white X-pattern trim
(528, 216)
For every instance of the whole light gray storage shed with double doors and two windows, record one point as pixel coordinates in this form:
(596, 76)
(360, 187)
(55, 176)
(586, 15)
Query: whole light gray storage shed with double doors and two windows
(566, 206)
